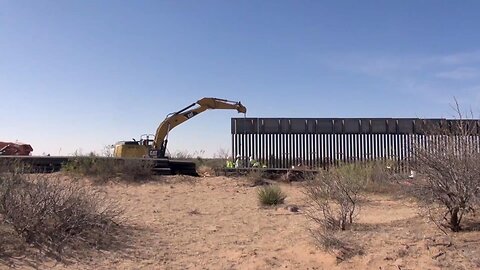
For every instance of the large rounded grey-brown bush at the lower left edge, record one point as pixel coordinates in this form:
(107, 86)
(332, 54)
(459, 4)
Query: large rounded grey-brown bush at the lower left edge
(53, 215)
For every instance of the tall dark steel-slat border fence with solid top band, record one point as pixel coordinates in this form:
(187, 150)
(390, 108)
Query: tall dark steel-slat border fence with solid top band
(323, 142)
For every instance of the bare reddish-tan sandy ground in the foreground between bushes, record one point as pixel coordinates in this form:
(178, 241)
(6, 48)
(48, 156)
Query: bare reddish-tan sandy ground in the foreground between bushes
(216, 223)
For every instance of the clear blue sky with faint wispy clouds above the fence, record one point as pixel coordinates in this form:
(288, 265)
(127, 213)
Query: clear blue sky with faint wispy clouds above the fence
(79, 75)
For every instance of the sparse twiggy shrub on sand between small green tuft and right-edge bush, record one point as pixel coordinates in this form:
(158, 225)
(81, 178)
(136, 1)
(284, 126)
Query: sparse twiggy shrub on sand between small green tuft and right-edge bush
(333, 197)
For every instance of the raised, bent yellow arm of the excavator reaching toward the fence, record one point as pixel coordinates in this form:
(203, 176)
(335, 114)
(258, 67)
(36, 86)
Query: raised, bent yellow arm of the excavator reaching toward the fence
(174, 119)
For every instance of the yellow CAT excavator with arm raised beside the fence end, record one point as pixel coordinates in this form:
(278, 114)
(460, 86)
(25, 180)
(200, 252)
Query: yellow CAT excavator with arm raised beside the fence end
(156, 147)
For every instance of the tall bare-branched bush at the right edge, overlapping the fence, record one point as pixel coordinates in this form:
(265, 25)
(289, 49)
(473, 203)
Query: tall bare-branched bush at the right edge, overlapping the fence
(449, 168)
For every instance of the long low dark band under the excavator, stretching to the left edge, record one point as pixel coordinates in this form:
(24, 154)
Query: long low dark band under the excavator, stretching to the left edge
(161, 166)
